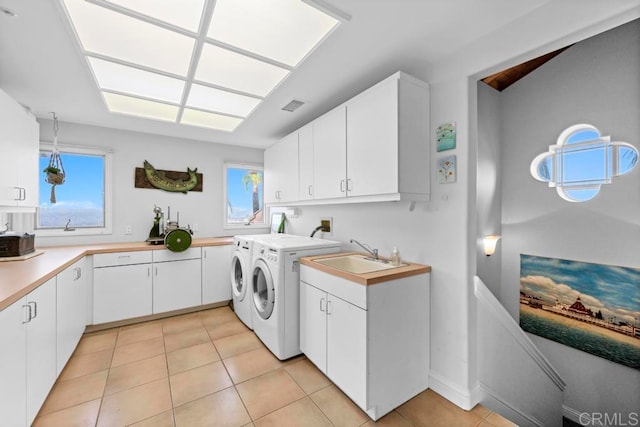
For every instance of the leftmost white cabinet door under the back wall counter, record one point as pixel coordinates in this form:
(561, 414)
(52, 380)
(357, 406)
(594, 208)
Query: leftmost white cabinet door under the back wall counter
(121, 292)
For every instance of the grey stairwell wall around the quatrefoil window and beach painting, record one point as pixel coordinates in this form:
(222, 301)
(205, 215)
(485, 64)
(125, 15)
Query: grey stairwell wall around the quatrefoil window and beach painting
(596, 82)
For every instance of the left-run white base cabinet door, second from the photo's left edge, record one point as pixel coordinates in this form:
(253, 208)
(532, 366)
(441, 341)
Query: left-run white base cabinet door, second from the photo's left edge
(41, 346)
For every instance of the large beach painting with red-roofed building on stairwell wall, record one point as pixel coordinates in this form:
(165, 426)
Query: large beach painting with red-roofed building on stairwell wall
(594, 308)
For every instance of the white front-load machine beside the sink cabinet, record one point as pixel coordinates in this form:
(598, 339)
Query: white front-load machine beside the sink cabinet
(275, 281)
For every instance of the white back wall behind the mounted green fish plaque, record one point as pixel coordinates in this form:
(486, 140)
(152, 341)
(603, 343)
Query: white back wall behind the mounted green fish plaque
(135, 205)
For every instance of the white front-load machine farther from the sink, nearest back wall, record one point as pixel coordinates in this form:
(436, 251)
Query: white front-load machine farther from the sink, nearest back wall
(241, 262)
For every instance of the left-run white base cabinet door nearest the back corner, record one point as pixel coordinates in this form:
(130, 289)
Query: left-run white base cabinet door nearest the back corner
(72, 311)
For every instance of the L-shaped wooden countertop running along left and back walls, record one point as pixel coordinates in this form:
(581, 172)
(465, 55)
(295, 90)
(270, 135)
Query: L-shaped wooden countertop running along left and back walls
(18, 278)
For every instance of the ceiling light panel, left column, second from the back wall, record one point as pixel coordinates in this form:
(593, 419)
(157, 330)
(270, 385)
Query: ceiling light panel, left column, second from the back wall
(121, 78)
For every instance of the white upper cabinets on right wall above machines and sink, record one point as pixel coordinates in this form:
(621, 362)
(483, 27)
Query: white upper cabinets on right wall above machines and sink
(374, 147)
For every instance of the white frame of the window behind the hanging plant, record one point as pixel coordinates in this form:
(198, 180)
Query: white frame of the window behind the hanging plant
(107, 154)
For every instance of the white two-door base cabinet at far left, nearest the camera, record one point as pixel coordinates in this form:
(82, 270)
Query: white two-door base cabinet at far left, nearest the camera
(28, 355)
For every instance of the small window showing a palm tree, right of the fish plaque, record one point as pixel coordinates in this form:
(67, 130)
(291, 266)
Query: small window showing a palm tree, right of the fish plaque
(244, 200)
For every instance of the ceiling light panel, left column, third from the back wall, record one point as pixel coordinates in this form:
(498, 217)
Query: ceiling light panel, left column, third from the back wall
(115, 35)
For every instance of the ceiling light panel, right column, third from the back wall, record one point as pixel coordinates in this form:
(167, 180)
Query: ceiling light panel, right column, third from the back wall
(225, 68)
